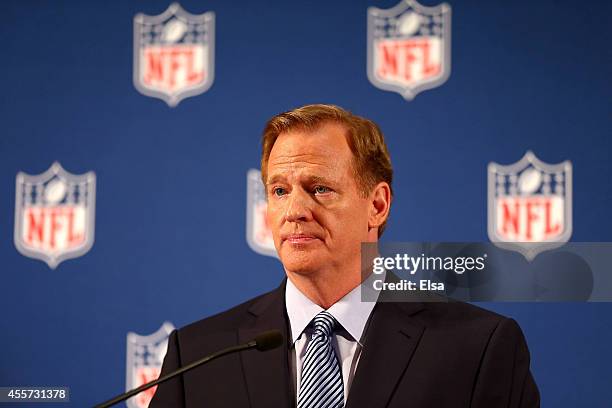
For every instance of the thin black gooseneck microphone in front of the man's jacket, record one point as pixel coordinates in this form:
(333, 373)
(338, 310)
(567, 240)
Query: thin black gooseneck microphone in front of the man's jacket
(264, 341)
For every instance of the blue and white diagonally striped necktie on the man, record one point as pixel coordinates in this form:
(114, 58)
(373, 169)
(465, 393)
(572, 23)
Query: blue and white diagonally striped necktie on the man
(321, 382)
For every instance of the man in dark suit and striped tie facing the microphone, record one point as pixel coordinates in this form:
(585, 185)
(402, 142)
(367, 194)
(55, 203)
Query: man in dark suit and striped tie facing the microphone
(328, 179)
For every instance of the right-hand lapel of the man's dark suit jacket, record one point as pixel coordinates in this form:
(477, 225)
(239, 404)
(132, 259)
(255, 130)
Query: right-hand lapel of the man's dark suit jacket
(388, 346)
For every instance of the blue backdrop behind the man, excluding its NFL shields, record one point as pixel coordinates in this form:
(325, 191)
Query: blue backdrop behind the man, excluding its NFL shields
(171, 183)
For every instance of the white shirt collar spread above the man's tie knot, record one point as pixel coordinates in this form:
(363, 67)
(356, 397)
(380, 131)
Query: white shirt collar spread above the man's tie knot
(350, 311)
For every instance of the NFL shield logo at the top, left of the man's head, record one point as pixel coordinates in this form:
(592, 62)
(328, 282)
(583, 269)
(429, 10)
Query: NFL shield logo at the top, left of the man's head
(174, 54)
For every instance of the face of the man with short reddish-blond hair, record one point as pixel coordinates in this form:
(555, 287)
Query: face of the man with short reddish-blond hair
(316, 213)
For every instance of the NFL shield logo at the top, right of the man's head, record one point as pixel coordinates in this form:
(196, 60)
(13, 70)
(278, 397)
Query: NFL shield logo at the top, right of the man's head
(409, 47)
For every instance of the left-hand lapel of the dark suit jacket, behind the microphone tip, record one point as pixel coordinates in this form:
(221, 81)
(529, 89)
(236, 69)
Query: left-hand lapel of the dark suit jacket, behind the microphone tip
(267, 373)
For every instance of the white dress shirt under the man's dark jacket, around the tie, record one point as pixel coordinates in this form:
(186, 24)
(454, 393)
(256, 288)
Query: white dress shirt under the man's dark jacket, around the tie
(352, 315)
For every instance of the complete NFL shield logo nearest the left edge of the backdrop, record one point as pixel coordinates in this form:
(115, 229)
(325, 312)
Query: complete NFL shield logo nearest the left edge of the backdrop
(54, 214)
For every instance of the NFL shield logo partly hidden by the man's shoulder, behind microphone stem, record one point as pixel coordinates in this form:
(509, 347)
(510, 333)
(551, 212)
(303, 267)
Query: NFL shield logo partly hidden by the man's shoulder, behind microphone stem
(145, 355)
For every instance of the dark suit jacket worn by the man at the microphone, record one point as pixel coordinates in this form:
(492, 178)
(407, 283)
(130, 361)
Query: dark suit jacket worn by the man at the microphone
(415, 355)
